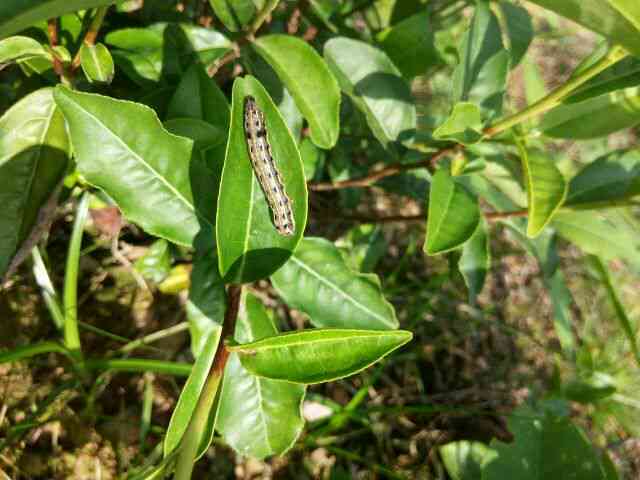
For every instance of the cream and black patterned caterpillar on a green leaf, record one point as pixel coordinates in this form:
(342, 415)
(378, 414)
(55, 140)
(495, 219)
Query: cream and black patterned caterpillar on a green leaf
(265, 168)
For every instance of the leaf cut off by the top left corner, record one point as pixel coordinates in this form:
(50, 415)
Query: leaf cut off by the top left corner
(16, 15)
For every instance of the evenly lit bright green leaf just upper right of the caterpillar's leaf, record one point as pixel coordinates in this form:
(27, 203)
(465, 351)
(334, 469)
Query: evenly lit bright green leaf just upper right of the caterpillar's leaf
(307, 77)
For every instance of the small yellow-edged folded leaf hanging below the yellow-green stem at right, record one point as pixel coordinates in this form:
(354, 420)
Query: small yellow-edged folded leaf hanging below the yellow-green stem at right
(546, 189)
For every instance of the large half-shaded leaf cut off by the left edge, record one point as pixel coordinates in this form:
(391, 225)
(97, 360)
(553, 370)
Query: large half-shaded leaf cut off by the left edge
(34, 153)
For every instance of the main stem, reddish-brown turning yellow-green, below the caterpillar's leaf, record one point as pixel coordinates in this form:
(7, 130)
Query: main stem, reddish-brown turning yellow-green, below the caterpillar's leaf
(197, 424)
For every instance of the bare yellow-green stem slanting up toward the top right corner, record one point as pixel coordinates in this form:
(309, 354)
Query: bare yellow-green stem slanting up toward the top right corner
(614, 55)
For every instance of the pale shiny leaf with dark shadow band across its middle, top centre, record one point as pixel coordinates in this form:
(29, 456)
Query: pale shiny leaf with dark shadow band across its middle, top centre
(375, 86)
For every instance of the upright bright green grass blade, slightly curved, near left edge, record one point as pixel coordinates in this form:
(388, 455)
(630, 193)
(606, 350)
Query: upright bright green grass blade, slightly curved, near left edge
(71, 335)
